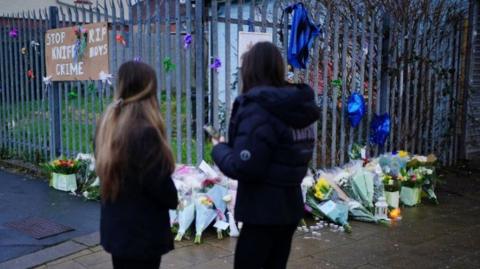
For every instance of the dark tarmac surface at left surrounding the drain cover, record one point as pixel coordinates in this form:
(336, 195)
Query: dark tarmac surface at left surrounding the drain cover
(22, 197)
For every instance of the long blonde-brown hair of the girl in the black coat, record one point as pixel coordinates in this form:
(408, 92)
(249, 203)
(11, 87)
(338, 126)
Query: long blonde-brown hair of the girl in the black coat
(134, 108)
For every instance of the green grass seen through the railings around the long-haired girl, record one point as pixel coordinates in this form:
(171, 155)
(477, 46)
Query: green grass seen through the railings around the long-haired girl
(26, 133)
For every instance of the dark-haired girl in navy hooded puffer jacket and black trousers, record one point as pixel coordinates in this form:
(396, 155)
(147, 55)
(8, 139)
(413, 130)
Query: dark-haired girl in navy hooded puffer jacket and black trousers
(271, 140)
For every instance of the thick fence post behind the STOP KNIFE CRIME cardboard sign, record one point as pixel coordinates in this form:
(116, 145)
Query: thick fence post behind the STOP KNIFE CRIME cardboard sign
(54, 98)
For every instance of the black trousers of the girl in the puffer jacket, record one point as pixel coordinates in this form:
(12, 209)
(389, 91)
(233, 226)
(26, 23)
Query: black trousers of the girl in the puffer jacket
(264, 246)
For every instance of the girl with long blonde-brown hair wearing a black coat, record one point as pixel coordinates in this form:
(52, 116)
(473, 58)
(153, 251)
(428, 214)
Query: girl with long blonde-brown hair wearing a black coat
(135, 163)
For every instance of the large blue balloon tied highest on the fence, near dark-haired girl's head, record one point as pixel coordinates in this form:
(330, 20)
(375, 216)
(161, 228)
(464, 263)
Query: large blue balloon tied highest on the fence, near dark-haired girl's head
(302, 34)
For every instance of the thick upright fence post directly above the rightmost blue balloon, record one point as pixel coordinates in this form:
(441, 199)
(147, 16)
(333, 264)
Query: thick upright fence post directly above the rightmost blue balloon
(385, 54)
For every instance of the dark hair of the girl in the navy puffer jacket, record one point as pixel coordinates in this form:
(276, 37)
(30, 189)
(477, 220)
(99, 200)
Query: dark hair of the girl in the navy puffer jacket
(262, 65)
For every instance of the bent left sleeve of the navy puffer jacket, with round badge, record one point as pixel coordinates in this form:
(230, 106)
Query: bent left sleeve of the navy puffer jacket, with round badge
(247, 157)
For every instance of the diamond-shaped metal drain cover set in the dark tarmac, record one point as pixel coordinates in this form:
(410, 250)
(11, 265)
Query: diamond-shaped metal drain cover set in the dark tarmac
(38, 228)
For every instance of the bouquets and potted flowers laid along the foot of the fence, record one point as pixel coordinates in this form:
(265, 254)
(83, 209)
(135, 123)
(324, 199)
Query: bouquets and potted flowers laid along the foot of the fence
(365, 189)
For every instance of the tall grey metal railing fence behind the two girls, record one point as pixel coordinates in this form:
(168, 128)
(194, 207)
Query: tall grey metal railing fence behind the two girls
(410, 73)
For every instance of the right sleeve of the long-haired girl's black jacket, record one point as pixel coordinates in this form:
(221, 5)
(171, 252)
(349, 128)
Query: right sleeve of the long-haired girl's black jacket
(155, 182)
